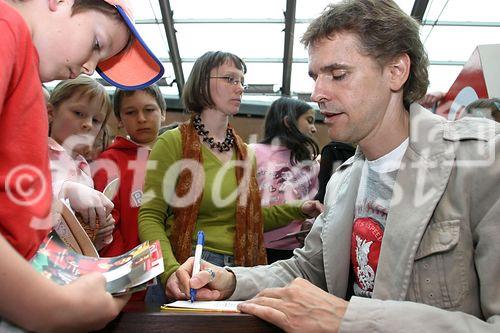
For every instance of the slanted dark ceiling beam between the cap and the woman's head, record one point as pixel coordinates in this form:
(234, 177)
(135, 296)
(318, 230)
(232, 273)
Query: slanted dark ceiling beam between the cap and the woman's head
(175, 58)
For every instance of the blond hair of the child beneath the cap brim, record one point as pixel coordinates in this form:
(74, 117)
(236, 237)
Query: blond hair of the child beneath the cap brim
(86, 87)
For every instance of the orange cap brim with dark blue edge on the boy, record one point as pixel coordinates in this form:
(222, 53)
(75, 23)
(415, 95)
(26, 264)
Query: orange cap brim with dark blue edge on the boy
(134, 68)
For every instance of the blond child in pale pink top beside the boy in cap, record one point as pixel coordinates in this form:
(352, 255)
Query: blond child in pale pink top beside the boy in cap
(78, 111)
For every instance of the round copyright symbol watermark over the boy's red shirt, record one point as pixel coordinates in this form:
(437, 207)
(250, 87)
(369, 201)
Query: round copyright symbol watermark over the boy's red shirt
(25, 185)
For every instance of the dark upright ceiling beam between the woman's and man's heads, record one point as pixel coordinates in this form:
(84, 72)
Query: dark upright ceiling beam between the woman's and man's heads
(288, 49)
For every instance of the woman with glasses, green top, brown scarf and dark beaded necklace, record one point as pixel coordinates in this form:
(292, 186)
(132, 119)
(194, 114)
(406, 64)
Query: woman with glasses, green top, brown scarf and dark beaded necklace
(202, 178)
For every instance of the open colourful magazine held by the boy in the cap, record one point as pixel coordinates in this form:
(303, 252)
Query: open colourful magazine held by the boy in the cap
(129, 272)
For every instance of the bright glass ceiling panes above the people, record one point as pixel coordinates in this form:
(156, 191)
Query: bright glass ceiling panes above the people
(254, 30)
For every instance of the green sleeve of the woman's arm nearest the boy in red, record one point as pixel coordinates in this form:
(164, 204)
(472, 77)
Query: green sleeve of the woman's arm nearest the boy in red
(155, 210)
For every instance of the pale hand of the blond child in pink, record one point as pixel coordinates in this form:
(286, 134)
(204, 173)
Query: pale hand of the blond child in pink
(88, 202)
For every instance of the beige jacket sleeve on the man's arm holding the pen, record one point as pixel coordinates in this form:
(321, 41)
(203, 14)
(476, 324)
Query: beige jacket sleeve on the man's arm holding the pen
(307, 262)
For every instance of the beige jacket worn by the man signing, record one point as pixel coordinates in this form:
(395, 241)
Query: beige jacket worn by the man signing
(439, 265)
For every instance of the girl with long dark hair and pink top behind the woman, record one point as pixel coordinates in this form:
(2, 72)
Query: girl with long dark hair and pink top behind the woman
(286, 167)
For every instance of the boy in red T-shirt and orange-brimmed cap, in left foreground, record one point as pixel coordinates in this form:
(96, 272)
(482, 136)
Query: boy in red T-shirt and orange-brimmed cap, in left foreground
(34, 48)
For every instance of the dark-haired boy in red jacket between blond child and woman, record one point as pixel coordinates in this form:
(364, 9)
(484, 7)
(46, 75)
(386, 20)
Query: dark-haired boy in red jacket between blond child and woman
(140, 114)
